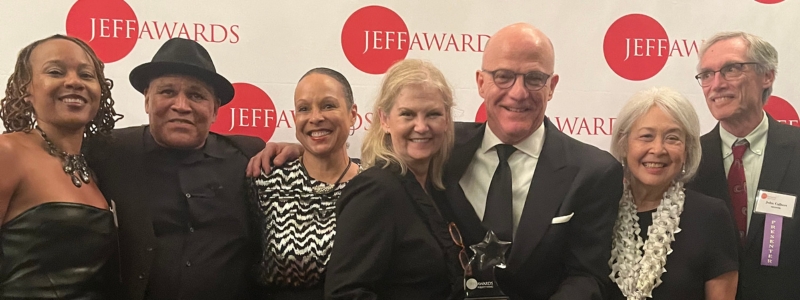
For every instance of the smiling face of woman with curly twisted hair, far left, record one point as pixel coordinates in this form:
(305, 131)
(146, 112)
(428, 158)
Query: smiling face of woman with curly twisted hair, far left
(64, 88)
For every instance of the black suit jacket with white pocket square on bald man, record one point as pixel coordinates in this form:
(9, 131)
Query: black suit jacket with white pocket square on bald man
(549, 261)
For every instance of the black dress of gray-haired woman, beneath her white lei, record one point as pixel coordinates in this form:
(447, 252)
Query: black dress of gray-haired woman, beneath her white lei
(703, 250)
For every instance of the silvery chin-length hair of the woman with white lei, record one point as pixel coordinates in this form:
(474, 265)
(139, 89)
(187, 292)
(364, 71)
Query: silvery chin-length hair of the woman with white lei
(674, 104)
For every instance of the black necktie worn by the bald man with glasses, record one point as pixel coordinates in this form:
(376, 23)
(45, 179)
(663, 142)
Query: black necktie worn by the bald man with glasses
(498, 215)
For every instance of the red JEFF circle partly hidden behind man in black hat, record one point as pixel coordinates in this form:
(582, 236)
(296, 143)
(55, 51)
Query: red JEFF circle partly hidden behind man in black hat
(251, 112)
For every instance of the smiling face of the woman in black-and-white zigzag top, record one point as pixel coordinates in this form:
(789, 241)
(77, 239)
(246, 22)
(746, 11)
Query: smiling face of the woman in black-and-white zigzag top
(322, 118)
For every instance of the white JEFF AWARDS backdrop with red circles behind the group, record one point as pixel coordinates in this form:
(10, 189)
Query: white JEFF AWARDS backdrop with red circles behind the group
(605, 50)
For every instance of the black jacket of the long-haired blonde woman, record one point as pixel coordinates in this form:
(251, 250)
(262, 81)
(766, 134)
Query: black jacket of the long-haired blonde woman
(383, 248)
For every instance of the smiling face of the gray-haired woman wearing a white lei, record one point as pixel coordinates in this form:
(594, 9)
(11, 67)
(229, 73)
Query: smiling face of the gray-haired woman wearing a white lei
(656, 150)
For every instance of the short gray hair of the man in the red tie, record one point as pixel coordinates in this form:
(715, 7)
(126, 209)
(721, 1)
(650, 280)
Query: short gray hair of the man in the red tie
(758, 50)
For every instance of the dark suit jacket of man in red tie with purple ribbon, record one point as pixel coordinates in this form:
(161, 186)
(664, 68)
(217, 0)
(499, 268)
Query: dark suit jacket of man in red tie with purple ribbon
(780, 172)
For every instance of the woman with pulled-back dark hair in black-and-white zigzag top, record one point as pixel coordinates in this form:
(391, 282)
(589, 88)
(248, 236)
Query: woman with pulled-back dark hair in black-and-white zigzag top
(296, 201)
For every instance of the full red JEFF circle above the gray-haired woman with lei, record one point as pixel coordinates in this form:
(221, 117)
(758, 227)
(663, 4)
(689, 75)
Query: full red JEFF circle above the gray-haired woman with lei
(636, 47)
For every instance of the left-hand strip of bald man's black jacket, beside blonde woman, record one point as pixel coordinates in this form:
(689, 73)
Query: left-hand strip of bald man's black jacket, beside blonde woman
(468, 140)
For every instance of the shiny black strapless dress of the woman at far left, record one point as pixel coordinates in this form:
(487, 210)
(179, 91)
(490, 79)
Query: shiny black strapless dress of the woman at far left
(56, 250)
